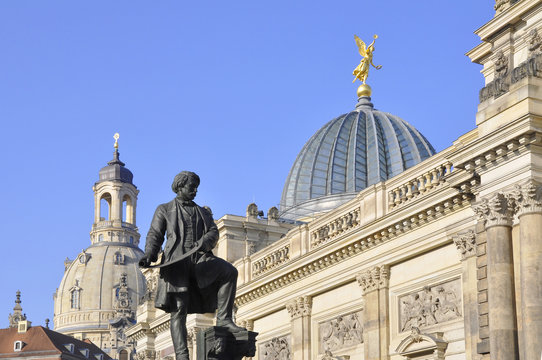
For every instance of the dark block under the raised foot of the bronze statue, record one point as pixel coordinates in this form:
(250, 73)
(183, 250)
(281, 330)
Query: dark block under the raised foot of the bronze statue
(217, 343)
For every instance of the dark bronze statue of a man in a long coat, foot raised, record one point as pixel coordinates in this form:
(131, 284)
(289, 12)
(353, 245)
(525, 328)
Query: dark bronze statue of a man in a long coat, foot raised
(192, 279)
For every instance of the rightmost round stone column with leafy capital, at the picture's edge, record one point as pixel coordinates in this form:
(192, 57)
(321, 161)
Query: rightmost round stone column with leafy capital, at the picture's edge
(529, 210)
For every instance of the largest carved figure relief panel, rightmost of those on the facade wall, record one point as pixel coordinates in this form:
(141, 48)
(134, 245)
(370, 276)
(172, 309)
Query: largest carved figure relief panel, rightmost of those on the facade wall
(431, 305)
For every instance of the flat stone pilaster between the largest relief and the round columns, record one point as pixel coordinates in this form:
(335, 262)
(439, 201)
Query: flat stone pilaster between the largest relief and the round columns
(466, 244)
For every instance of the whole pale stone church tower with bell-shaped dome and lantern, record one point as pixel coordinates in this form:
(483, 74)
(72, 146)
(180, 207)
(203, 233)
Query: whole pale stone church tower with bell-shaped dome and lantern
(100, 289)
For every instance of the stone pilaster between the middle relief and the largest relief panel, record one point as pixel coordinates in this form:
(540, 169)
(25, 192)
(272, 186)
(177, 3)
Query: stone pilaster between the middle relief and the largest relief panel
(375, 286)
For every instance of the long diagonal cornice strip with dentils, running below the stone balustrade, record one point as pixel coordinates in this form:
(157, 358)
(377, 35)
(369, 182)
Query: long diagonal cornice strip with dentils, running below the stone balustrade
(357, 246)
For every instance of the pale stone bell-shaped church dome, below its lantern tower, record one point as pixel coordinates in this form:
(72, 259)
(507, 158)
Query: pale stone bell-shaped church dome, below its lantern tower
(97, 274)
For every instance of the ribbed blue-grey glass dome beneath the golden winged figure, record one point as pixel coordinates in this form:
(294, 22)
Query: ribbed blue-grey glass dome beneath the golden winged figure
(348, 154)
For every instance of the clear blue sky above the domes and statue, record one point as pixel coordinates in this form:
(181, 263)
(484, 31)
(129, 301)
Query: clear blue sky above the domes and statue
(238, 85)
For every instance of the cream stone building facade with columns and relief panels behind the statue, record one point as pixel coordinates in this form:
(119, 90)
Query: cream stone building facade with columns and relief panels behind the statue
(440, 261)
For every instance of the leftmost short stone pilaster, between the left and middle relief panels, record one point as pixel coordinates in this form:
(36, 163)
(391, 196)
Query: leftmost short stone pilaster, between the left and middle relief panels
(300, 312)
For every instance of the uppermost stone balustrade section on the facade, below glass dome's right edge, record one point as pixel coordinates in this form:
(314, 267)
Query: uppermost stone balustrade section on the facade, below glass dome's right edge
(421, 184)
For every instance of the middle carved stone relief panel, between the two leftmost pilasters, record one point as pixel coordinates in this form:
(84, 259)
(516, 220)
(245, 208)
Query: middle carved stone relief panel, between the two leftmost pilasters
(341, 332)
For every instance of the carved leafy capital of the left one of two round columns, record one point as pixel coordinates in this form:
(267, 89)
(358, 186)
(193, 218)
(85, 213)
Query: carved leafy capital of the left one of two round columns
(495, 210)
